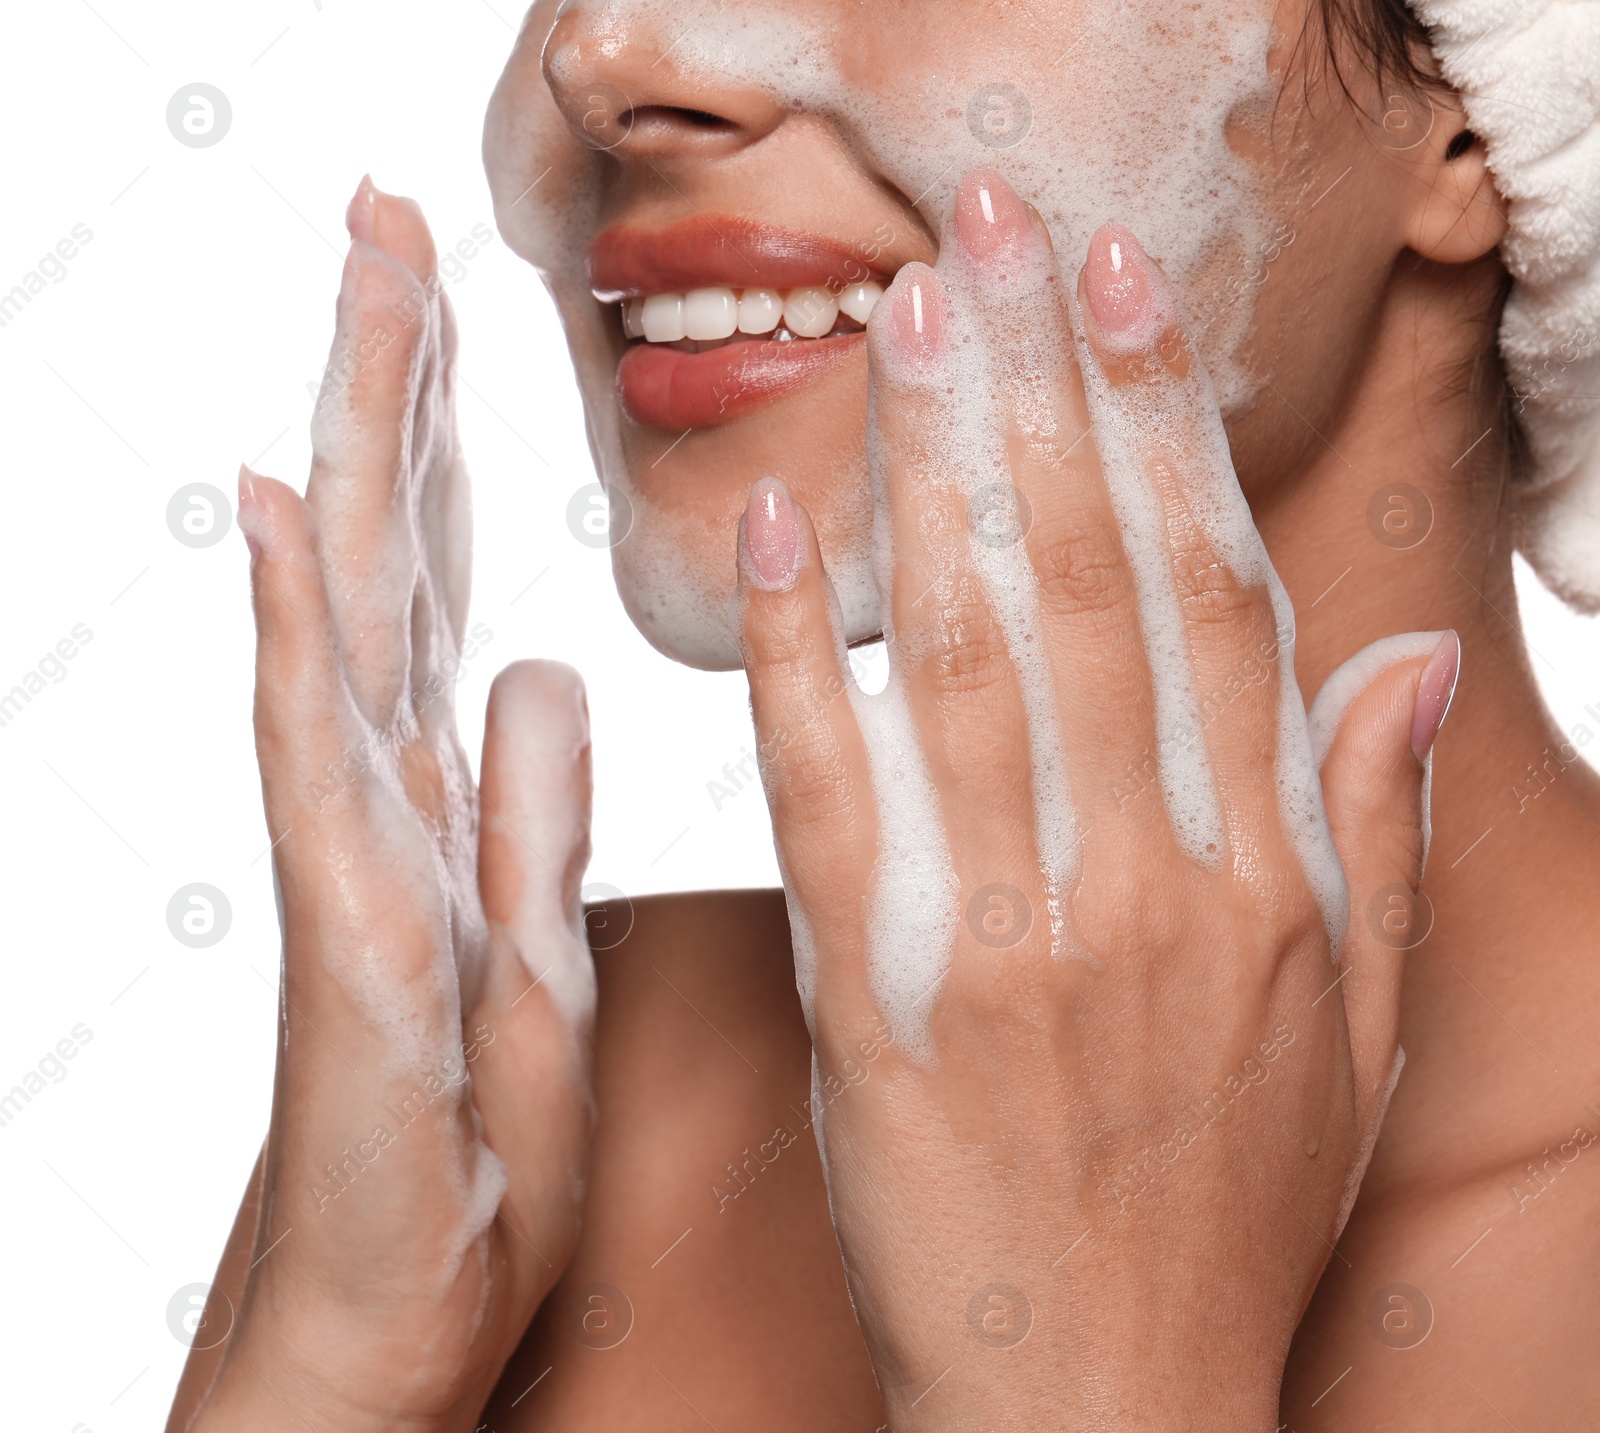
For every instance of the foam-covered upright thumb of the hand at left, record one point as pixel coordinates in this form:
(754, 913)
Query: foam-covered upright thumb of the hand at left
(534, 842)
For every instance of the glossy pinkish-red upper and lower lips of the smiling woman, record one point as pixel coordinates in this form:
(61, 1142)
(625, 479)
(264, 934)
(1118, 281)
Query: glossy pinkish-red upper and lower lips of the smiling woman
(670, 388)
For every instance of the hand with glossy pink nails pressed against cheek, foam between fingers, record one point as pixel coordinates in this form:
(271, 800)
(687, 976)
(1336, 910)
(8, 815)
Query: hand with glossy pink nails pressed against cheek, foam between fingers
(1078, 861)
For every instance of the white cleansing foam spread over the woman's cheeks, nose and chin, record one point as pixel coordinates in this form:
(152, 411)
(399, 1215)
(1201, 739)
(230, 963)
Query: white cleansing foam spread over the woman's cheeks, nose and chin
(1130, 108)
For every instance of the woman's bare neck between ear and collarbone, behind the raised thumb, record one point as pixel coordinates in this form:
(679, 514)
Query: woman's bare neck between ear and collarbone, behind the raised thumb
(1516, 810)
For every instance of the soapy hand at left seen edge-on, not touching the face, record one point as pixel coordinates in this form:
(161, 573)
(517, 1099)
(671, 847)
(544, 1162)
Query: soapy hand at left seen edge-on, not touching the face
(422, 1180)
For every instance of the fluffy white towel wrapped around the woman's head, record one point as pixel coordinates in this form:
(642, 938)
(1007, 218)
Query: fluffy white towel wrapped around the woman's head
(1529, 73)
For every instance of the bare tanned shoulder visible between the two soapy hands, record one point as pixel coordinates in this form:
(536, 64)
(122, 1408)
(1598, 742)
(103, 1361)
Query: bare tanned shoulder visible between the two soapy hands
(708, 1283)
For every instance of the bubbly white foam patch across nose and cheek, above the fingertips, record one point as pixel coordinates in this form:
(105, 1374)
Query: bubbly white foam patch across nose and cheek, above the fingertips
(1129, 113)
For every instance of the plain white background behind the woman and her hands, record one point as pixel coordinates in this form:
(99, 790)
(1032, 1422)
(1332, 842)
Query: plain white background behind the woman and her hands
(180, 345)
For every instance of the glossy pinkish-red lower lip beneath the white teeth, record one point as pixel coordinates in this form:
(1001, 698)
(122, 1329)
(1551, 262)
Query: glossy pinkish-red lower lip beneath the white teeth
(668, 388)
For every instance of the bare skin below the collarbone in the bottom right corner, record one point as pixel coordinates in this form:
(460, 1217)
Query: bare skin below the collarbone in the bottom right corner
(1463, 1306)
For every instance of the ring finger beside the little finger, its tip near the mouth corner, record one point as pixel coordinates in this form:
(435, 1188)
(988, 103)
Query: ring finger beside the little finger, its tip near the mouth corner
(958, 607)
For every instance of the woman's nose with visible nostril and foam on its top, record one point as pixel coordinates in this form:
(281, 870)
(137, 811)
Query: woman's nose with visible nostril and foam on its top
(628, 86)
